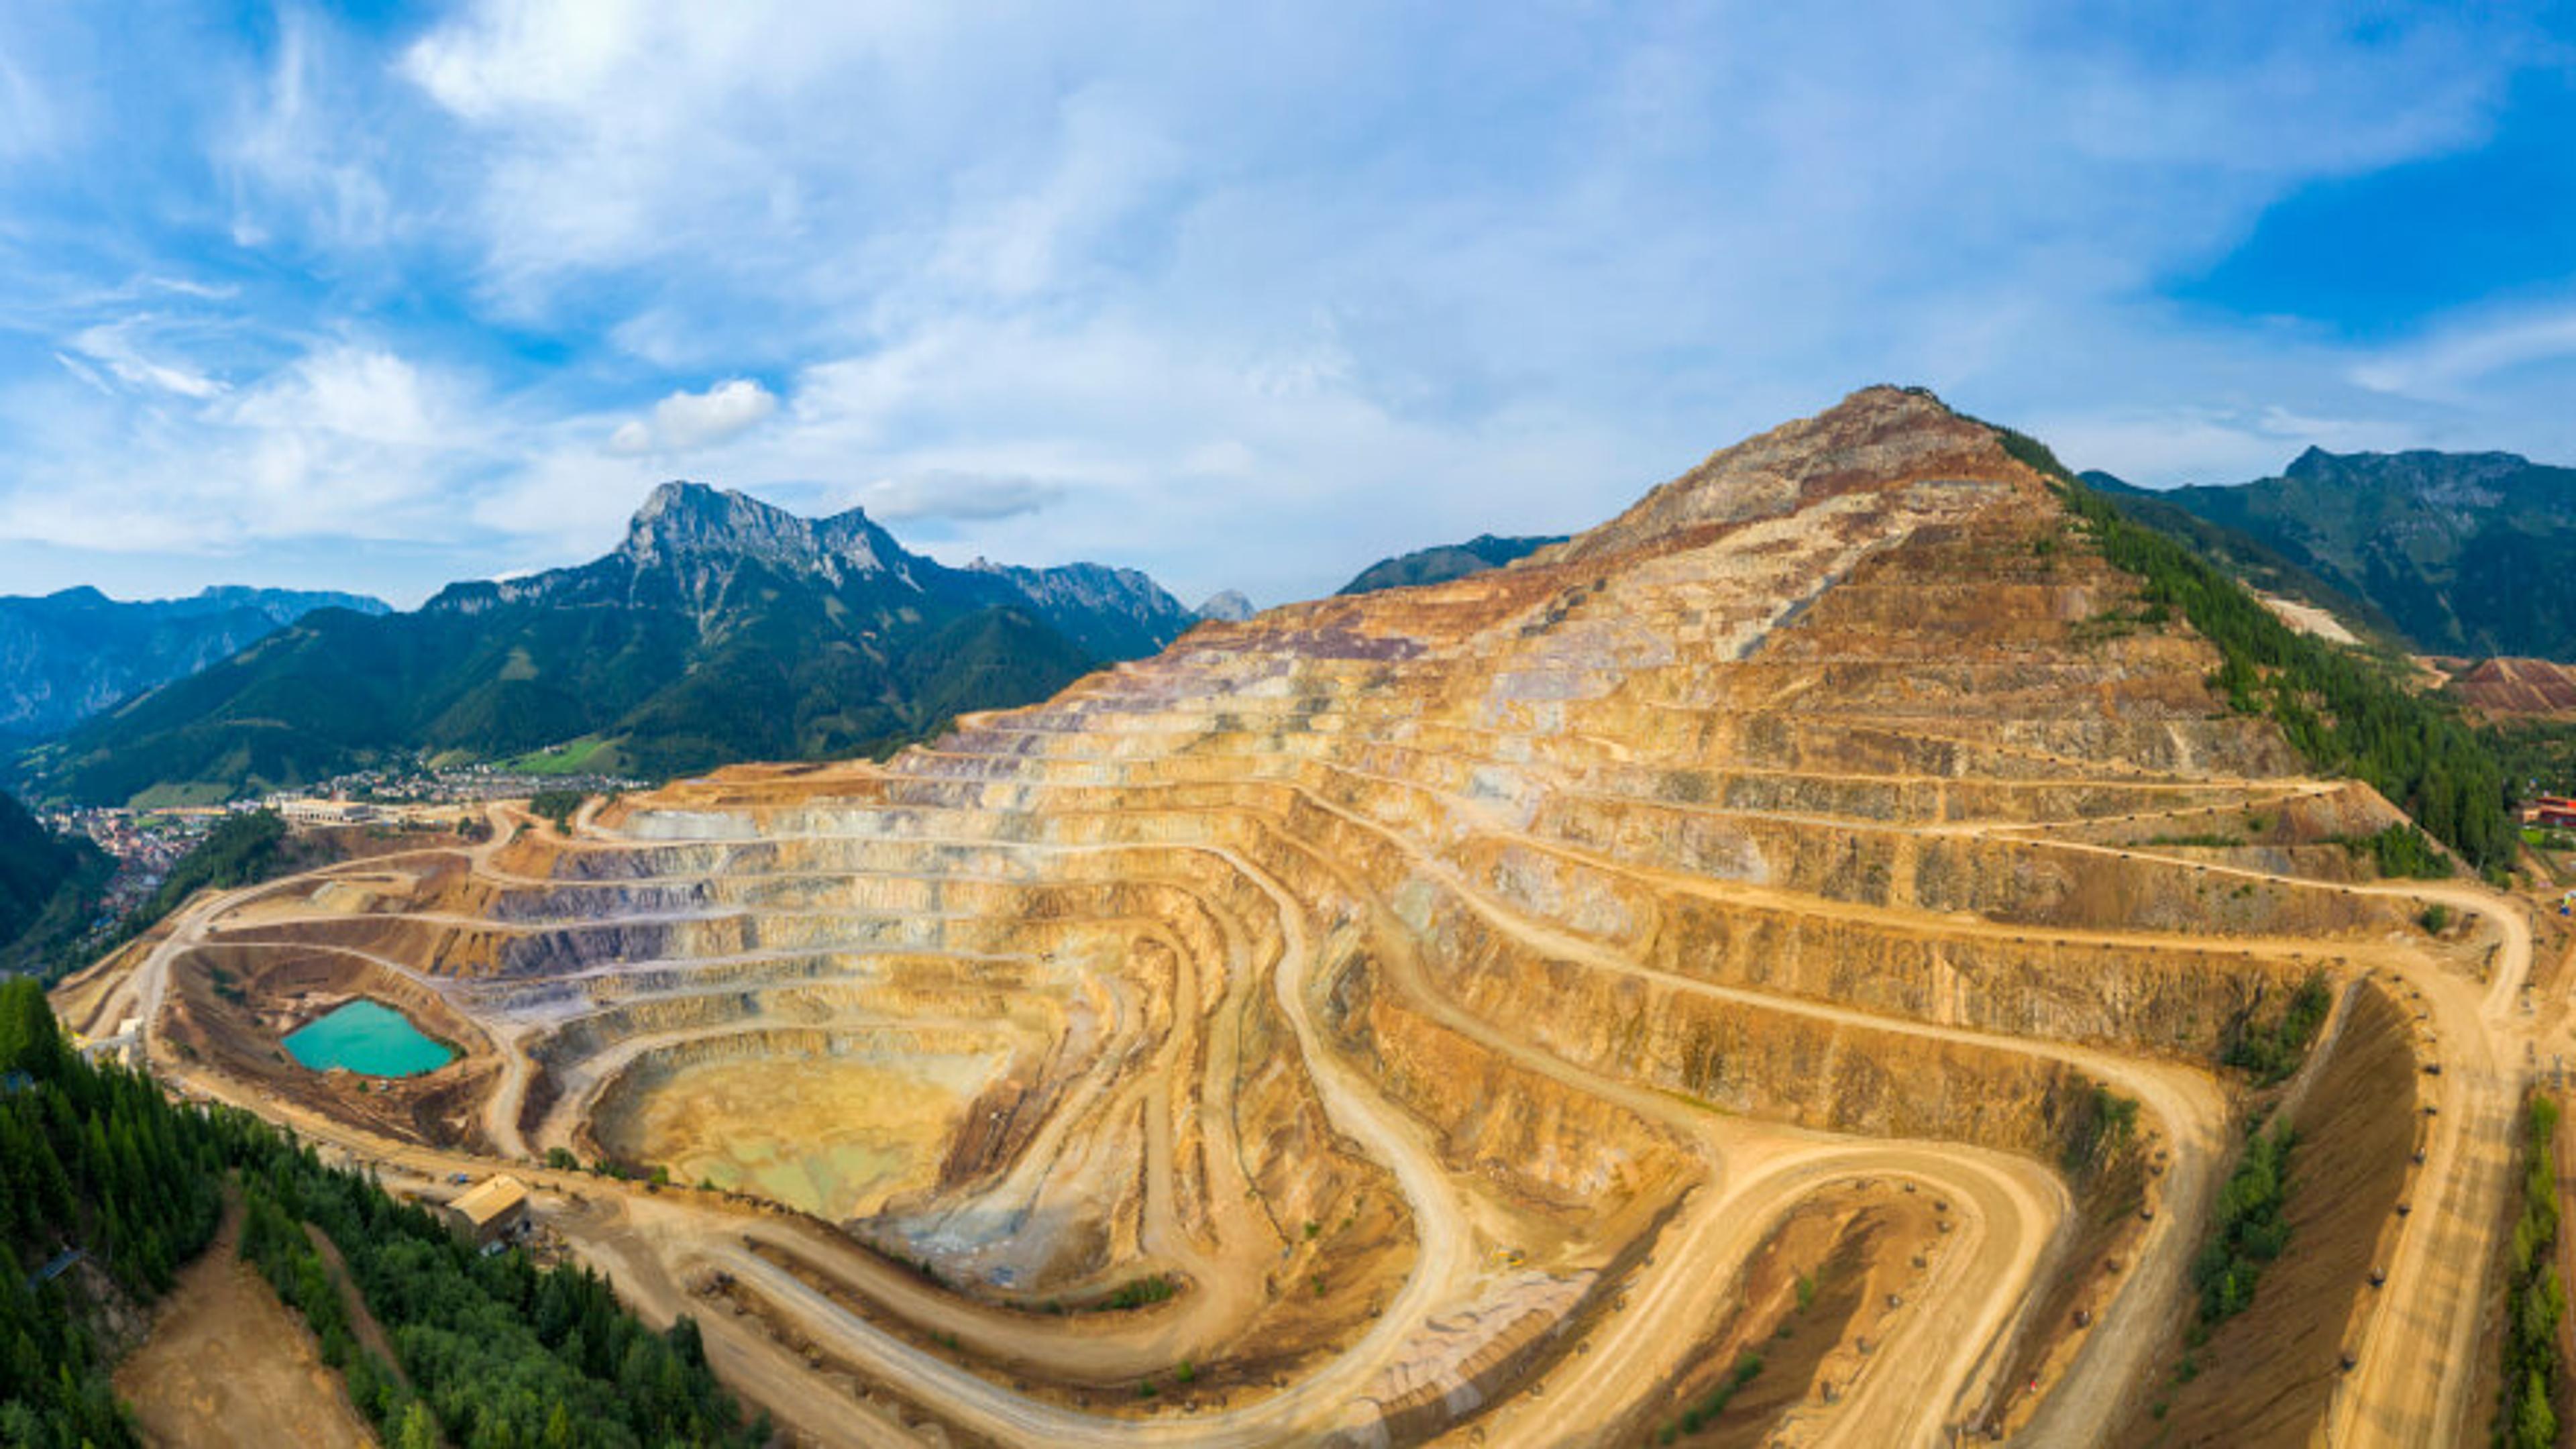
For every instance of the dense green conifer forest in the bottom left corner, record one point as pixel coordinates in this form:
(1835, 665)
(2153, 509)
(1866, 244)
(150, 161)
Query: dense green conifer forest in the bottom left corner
(498, 1352)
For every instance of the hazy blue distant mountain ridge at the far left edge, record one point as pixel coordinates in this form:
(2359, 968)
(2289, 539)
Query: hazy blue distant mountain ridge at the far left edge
(68, 656)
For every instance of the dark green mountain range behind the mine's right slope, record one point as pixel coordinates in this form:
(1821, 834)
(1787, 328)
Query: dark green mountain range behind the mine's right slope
(2456, 553)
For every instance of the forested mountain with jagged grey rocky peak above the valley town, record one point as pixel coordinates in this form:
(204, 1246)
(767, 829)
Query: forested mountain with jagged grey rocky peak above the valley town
(720, 630)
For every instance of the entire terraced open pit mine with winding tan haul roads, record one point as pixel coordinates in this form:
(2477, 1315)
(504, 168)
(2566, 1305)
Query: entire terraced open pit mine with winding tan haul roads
(1727, 978)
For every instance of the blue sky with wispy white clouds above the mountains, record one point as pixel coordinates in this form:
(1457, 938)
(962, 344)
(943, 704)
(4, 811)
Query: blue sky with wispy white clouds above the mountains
(1243, 295)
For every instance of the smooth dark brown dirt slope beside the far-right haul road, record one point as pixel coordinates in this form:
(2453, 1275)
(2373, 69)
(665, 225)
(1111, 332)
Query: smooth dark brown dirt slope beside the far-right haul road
(2268, 1376)
